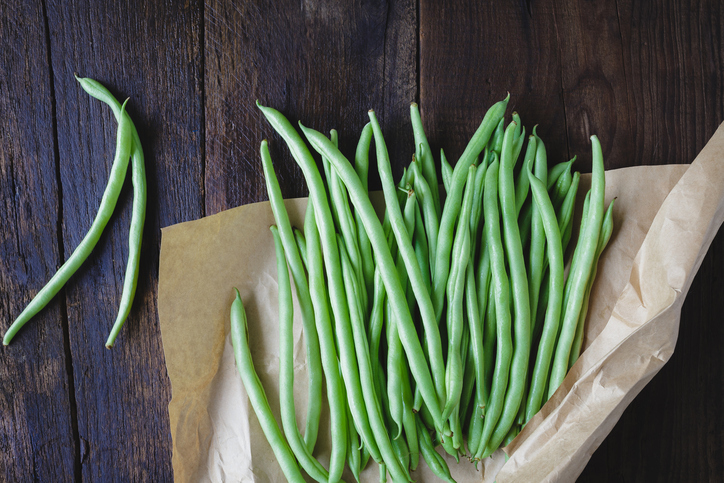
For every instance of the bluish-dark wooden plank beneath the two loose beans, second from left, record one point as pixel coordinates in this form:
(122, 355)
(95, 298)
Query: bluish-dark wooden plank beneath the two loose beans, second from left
(150, 52)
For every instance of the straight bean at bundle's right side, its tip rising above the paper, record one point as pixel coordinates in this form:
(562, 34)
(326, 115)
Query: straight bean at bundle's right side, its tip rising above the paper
(580, 276)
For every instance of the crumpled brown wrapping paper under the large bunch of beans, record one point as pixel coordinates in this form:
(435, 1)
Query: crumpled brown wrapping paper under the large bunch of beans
(665, 218)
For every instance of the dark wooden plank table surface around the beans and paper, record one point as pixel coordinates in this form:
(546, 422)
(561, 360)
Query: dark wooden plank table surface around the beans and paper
(648, 79)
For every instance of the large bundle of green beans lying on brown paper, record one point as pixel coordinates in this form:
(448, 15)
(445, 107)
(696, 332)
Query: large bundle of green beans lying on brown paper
(444, 324)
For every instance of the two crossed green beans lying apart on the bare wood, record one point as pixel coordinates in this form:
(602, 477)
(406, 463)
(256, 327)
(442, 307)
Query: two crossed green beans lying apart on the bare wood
(128, 147)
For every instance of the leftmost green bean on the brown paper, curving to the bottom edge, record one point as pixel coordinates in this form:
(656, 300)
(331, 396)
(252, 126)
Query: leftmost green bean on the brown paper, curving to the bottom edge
(255, 391)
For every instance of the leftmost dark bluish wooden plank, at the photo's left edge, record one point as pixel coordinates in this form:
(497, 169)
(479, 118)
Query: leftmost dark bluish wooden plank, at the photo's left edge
(36, 427)
